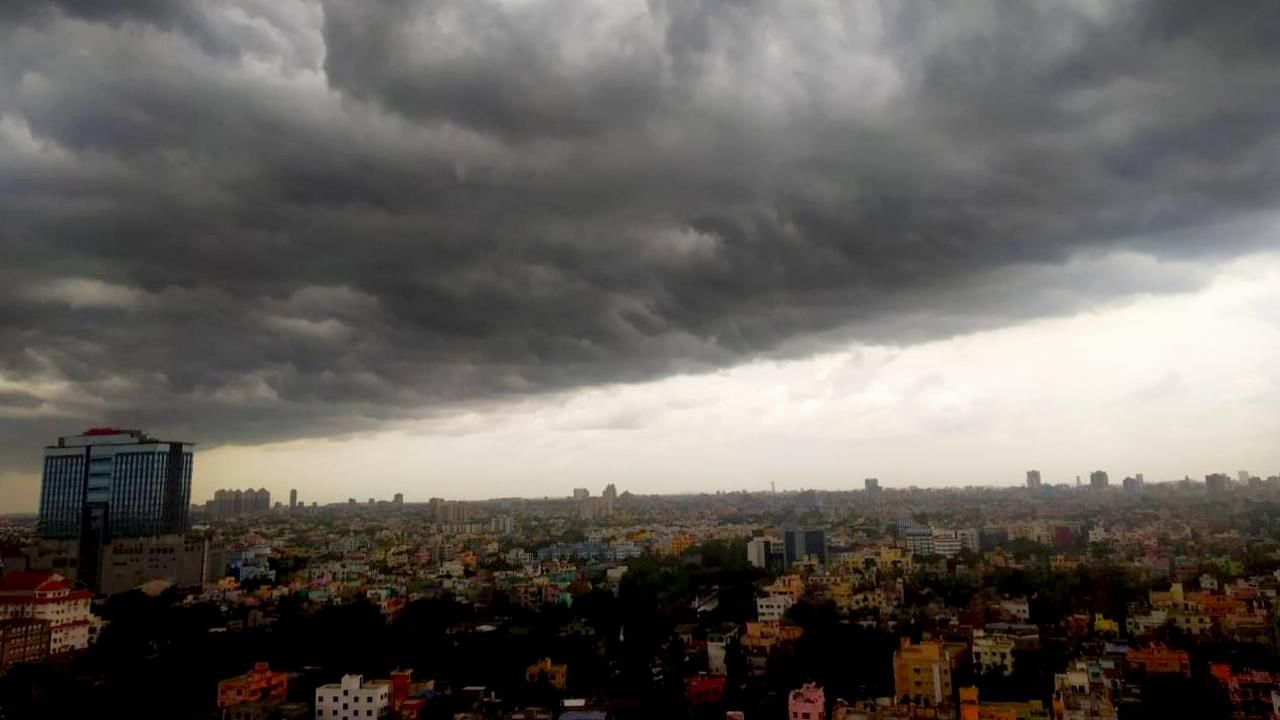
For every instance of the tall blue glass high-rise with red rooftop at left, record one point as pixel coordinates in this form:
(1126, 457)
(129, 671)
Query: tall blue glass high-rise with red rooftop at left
(111, 484)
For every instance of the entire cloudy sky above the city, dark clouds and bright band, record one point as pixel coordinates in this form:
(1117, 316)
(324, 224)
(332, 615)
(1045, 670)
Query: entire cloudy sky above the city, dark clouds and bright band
(509, 248)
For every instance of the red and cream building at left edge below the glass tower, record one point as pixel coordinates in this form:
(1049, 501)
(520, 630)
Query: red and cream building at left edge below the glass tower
(48, 596)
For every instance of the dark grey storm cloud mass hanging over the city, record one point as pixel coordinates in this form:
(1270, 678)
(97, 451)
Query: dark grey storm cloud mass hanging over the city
(266, 220)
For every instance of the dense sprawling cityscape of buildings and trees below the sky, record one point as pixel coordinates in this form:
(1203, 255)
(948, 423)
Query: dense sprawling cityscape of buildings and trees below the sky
(1066, 601)
